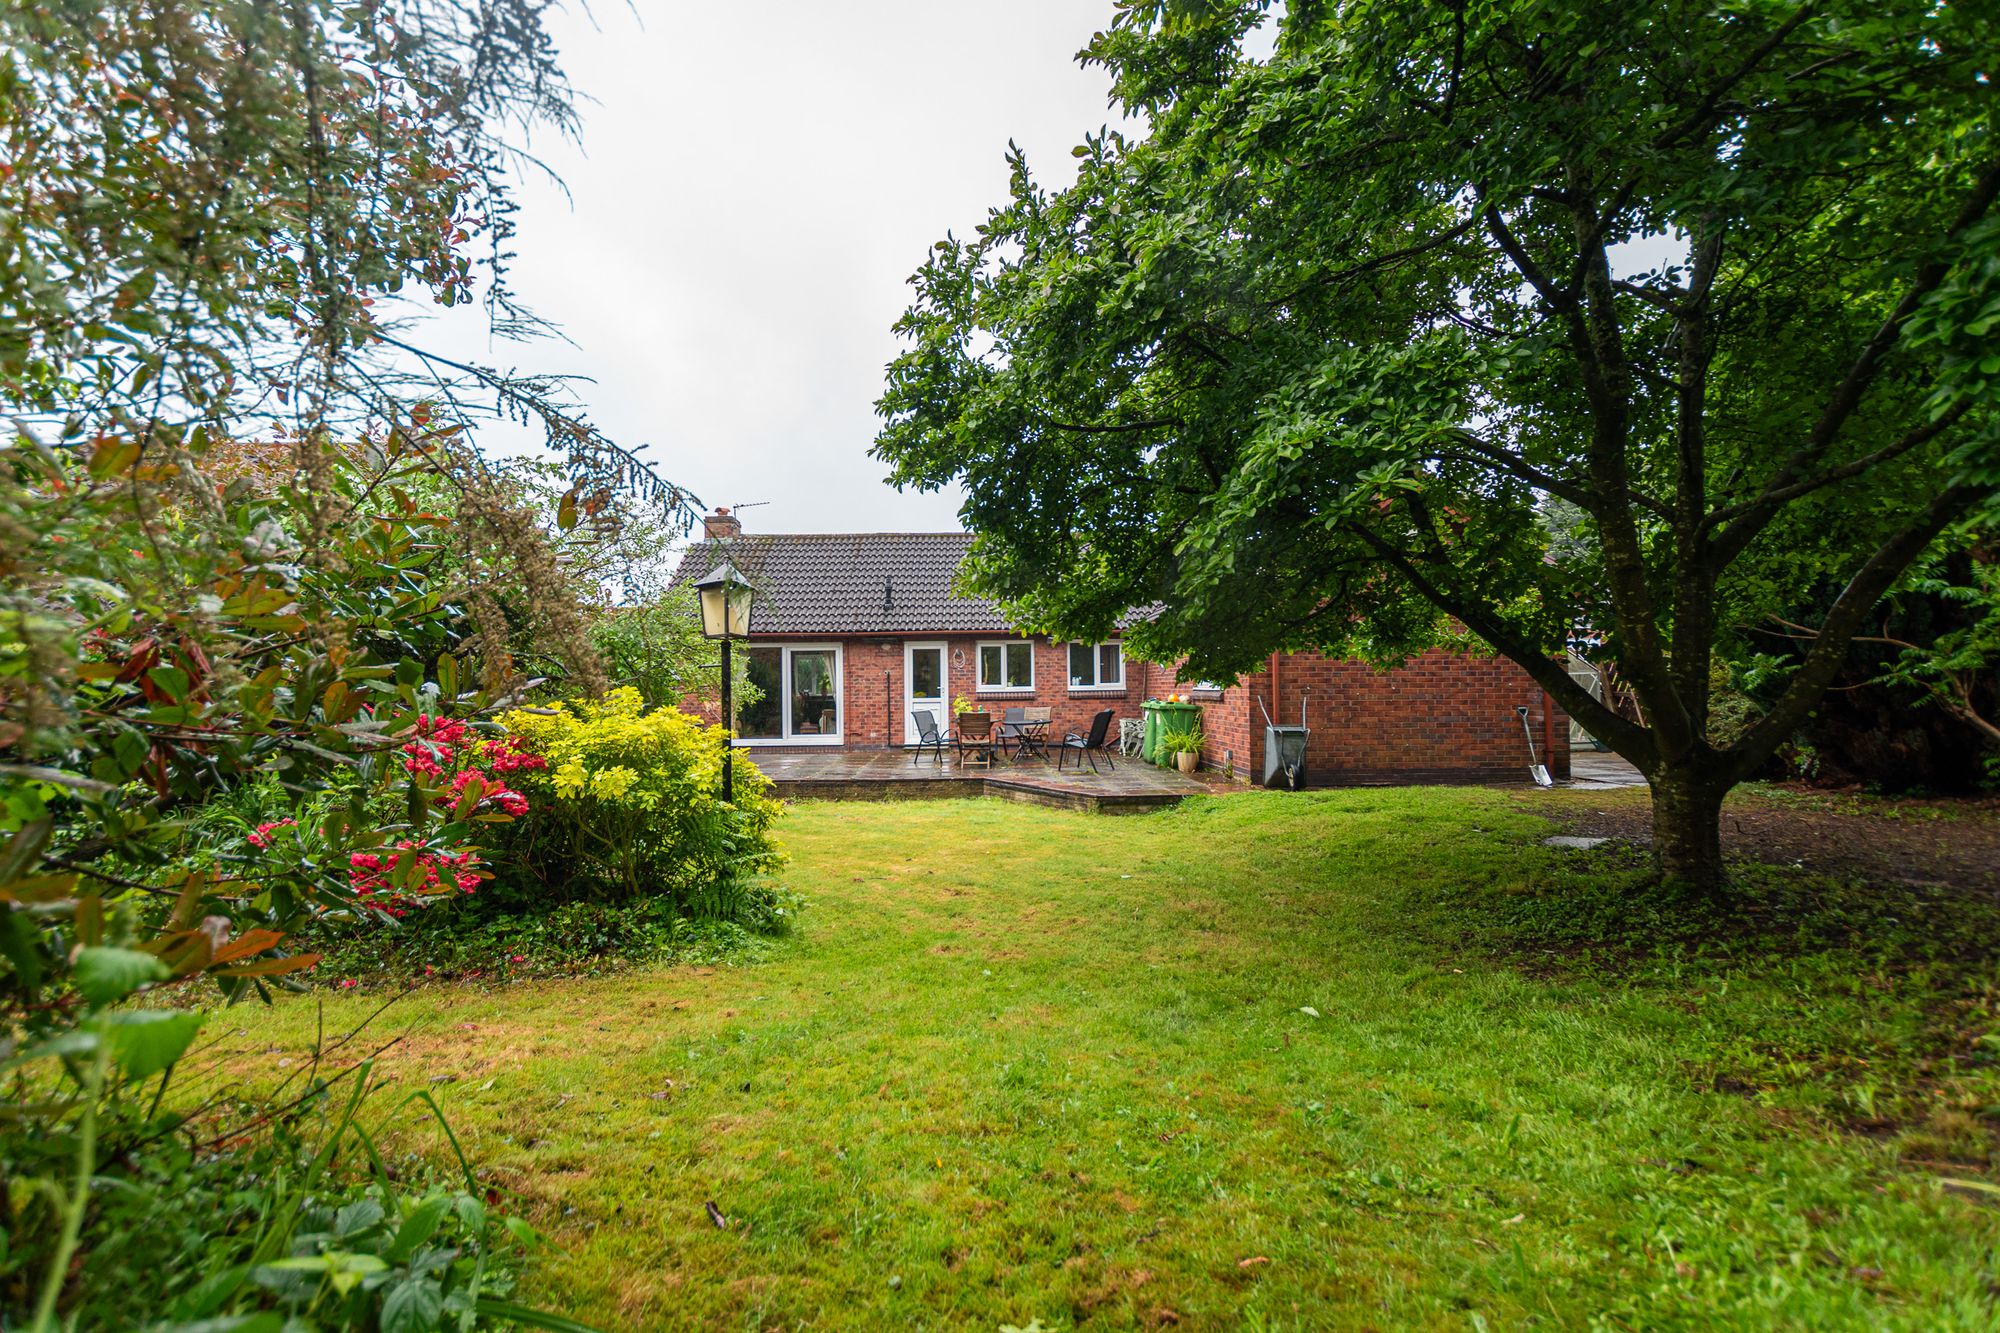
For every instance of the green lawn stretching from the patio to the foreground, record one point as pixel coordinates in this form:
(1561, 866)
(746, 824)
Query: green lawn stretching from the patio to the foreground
(1323, 1062)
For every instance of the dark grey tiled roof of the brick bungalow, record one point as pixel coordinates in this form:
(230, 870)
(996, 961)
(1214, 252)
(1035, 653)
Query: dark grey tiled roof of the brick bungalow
(851, 583)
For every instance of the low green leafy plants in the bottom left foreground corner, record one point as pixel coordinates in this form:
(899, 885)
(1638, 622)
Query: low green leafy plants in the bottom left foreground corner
(297, 1224)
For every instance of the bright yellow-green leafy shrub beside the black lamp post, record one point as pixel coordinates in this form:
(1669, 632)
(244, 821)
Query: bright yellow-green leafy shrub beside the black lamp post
(629, 804)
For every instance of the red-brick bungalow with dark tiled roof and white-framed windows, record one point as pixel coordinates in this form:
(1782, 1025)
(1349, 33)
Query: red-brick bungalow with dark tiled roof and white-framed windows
(857, 631)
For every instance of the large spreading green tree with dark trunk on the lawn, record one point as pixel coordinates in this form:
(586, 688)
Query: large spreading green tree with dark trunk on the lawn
(1307, 359)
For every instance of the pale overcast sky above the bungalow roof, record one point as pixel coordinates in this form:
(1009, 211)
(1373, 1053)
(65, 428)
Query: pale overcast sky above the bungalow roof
(747, 205)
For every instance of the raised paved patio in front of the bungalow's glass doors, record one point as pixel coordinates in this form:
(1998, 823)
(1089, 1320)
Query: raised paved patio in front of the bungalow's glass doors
(891, 776)
